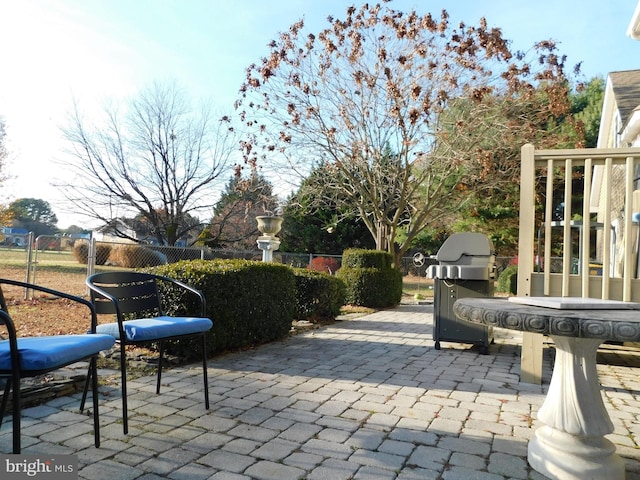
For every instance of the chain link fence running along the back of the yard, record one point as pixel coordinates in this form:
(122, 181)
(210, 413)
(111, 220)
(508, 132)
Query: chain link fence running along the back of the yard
(63, 262)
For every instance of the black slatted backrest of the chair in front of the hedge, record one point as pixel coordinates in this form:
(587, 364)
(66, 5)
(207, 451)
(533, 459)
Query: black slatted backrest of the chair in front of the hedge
(135, 293)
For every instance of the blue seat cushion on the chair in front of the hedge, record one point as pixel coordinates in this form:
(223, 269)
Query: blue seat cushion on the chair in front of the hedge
(148, 329)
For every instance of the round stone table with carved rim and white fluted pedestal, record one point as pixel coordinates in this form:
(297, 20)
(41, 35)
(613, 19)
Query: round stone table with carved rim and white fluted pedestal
(571, 443)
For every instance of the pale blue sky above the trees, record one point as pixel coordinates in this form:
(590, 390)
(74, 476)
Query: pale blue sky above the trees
(90, 50)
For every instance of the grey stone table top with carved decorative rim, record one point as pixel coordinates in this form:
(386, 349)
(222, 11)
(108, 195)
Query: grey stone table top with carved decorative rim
(616, 324)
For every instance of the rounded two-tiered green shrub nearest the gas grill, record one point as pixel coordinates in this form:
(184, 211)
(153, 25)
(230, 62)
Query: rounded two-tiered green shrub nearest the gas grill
(370, 279)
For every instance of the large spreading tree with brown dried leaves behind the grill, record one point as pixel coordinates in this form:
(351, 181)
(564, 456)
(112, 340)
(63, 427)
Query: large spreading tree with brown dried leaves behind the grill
(404, 114)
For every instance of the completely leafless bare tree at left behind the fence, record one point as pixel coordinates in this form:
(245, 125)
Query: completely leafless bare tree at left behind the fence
(154, 159)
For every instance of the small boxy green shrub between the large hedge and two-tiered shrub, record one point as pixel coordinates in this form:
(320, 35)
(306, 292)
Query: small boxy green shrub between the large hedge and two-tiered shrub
(319, 296)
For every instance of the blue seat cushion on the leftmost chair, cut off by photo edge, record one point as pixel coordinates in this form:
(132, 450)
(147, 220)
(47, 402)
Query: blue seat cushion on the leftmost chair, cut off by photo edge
(48, 353)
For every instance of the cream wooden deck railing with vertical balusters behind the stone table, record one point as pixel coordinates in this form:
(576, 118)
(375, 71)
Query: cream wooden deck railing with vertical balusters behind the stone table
(598, 242)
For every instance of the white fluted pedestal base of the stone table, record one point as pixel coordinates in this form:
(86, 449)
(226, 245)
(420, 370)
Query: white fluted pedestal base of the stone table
(571, 443)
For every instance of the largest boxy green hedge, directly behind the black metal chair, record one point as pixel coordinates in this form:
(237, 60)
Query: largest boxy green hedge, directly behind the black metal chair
(249, 302)
